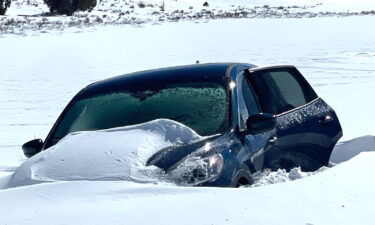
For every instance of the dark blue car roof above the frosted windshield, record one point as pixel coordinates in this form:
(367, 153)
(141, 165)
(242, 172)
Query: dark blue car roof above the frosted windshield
(216, 72)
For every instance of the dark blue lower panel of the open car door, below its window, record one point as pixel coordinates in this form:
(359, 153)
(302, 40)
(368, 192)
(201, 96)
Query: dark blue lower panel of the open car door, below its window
(300, 134)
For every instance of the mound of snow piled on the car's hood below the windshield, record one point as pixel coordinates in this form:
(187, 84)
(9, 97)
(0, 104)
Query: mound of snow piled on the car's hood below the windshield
(113, 154)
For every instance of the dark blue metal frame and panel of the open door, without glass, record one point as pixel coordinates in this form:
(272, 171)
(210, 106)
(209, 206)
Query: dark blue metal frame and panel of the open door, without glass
(305, 135)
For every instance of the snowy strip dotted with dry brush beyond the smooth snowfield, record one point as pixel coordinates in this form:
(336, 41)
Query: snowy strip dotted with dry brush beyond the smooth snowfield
(30, 16)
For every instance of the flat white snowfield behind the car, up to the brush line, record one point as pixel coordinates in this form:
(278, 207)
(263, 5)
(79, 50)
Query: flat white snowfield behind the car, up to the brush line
(39, 75)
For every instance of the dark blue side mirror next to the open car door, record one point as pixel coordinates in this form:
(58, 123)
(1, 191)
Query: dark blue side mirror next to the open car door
(260, 123)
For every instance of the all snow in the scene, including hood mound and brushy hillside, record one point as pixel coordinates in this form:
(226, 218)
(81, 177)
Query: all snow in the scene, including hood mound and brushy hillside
(55, 57)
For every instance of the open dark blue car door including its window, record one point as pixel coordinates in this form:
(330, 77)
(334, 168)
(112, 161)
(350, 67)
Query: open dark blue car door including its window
(307, 128)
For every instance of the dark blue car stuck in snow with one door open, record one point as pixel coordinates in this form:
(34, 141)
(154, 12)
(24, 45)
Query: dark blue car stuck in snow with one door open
(251, 118)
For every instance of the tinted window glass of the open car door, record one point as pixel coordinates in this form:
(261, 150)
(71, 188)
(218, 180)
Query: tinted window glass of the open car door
(281, 89)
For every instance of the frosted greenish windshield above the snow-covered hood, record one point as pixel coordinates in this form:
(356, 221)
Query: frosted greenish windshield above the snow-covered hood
(200, 106)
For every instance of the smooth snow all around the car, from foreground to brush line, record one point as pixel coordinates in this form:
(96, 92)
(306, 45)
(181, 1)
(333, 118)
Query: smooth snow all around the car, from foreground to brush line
(41, 72)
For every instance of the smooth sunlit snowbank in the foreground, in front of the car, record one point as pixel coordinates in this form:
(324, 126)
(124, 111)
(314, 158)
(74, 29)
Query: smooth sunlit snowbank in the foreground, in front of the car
(341, 195)
